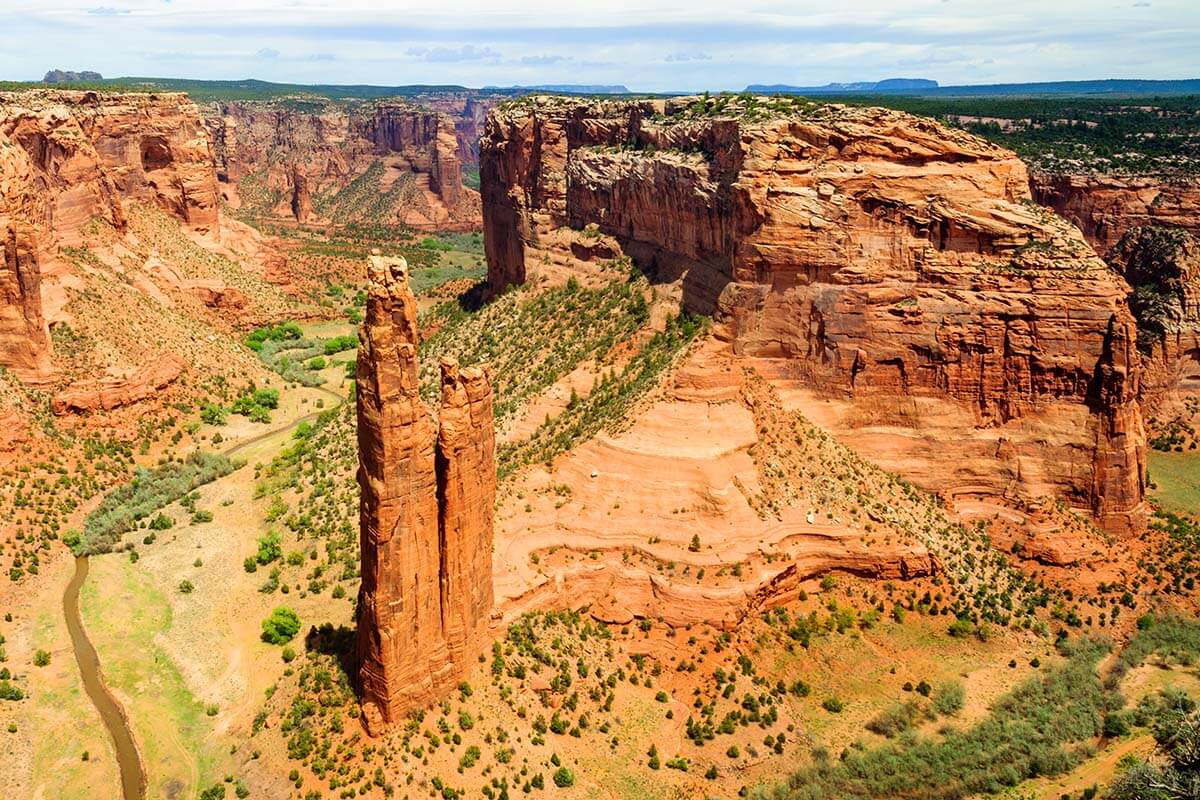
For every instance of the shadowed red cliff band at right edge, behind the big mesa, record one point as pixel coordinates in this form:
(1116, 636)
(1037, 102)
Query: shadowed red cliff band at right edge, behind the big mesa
(1108, 207)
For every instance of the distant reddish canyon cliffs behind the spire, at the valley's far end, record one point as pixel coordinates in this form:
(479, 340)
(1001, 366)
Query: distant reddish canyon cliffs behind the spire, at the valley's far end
(320, 152)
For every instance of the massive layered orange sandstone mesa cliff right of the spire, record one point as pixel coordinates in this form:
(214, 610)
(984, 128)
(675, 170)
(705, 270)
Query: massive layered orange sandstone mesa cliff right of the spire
(868, 254)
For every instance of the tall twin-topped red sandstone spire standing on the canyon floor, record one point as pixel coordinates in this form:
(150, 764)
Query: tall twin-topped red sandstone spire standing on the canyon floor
(428, 497)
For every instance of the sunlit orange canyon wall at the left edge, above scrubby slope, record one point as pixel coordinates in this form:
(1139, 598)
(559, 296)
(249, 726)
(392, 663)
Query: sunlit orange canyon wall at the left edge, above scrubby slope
(69, 158)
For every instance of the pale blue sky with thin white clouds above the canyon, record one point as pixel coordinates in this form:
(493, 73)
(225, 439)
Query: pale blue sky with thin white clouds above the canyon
(641, 44)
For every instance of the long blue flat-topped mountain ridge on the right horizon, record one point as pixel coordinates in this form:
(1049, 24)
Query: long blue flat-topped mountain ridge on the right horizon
(932, 88)
